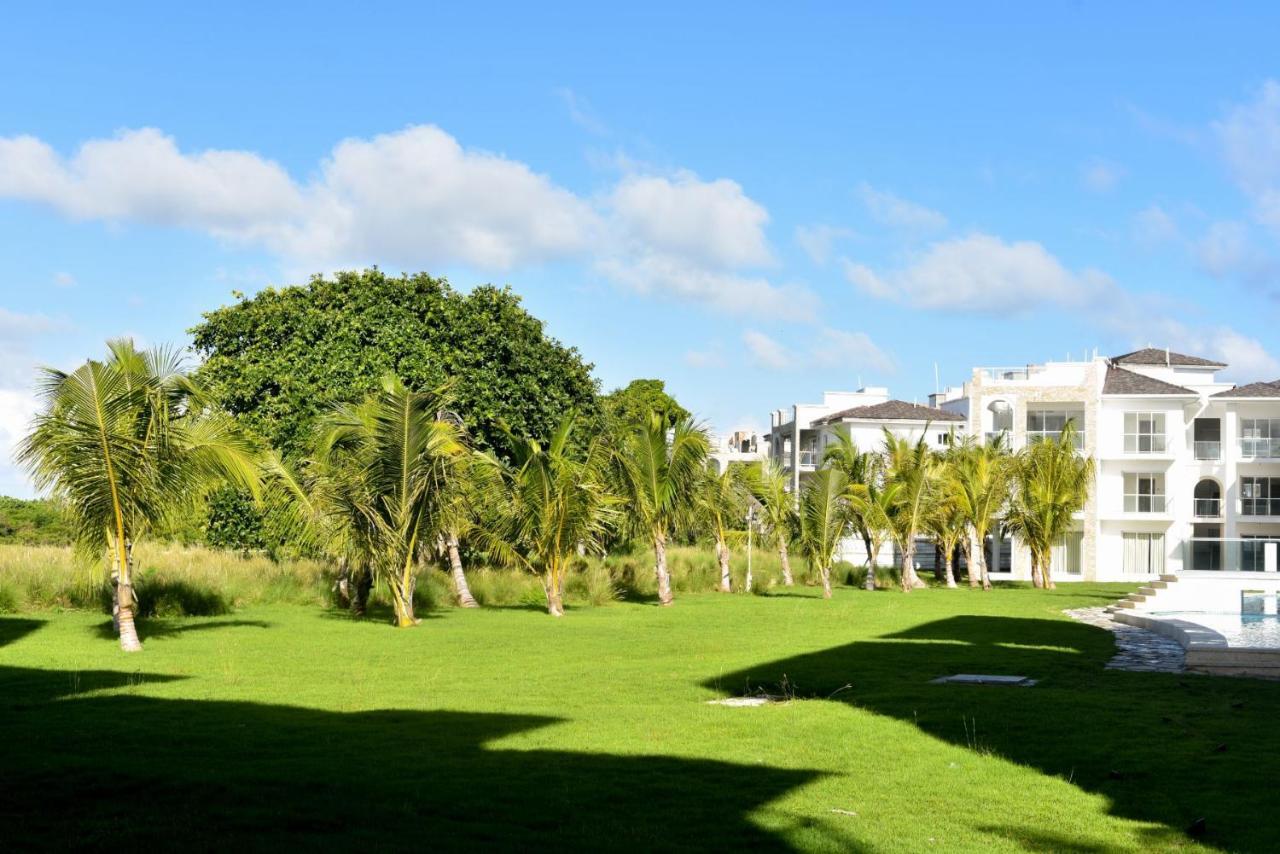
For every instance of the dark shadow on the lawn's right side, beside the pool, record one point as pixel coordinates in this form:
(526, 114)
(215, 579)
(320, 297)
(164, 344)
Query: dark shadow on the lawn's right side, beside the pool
(1163, 748)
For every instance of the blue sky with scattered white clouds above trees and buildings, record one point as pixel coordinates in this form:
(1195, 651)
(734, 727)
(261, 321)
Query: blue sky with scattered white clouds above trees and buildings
(753, 203)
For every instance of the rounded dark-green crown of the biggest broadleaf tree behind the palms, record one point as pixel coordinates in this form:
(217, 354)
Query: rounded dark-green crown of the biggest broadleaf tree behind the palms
(285, 357)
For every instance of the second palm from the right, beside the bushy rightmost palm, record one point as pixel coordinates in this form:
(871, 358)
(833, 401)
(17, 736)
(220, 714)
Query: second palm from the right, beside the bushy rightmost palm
(981, 477)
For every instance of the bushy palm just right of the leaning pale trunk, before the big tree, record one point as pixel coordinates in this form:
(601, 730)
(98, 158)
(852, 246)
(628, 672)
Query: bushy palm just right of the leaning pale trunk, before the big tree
(559, 504)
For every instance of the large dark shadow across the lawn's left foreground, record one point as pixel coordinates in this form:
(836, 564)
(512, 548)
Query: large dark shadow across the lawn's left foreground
(138, 773)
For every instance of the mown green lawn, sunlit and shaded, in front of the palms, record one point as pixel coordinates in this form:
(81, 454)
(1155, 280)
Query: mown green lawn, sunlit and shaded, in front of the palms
(287, 728)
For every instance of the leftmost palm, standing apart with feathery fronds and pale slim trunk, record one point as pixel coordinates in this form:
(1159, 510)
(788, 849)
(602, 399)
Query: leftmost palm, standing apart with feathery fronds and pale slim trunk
(125, 442)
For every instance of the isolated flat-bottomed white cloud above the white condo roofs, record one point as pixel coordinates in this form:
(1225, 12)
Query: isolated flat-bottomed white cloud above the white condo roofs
(982, 273)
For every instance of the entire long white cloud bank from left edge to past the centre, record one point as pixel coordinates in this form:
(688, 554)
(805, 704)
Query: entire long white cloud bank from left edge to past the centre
(419, 199)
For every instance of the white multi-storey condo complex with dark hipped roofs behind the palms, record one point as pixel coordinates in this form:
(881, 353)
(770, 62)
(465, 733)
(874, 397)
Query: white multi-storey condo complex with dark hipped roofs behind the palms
(1187, 467)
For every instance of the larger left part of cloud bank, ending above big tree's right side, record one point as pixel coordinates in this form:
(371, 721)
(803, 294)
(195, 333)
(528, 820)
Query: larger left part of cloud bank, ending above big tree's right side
(396, 198)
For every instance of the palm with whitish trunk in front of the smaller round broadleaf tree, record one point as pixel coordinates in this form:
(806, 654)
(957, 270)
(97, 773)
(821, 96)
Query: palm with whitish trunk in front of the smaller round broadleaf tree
(659, 471)
